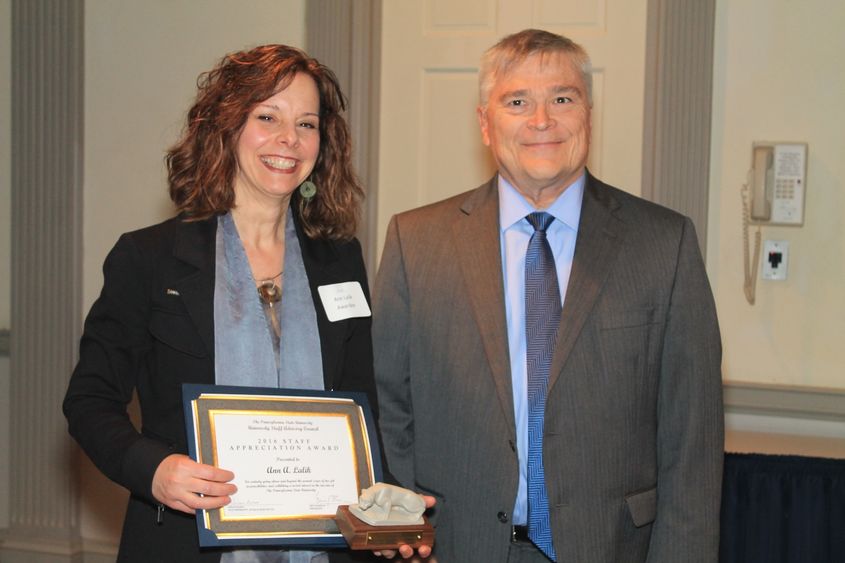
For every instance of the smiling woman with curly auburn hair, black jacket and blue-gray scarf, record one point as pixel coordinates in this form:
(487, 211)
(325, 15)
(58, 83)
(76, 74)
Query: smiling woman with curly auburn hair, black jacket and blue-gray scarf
(225, 293)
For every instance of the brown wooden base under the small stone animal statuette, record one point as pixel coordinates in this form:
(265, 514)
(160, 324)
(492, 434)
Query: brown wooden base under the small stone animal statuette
(360, 535)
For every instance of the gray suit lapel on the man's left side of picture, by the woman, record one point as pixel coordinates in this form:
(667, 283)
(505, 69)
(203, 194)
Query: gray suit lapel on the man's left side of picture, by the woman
(477, 242)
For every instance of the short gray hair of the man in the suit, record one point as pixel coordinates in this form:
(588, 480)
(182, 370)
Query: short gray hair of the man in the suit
(516, 48)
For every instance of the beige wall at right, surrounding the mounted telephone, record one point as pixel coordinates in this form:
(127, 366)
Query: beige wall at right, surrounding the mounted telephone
(778, 77)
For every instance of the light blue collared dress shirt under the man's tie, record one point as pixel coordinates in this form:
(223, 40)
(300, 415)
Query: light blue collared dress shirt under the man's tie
(515, 232)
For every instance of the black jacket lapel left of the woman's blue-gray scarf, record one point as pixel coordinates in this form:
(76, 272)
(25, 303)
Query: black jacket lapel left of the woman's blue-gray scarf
(195, 246)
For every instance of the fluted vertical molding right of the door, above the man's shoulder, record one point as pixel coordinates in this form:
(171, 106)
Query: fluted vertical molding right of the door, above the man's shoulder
(677, 112)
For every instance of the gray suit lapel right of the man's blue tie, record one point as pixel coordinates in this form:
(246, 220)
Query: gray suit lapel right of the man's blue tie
(599, 234)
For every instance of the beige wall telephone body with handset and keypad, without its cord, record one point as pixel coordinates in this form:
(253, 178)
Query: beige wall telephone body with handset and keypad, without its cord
(778, 183)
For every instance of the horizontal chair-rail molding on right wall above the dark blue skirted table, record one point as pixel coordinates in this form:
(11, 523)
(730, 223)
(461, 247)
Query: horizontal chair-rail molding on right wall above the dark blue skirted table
(785, 401)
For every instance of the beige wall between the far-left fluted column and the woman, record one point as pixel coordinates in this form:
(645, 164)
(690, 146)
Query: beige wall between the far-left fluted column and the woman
(141, 64)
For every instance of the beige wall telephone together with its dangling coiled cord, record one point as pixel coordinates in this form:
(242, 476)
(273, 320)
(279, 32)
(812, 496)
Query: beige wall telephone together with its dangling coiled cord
(773, 195)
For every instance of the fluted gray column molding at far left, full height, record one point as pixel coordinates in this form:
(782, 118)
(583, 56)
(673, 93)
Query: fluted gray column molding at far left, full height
(46, 231)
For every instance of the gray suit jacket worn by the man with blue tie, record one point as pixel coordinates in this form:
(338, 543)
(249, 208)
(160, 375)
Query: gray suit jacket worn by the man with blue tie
(633, 428)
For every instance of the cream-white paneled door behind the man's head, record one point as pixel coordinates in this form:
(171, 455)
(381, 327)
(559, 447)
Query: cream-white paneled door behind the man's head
(430, 144)
